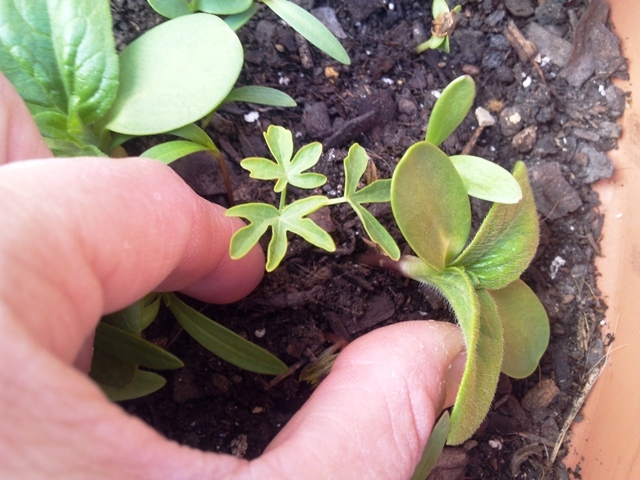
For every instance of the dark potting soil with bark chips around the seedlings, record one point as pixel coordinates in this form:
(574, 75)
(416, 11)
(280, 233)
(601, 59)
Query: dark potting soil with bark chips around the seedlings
(556, 110)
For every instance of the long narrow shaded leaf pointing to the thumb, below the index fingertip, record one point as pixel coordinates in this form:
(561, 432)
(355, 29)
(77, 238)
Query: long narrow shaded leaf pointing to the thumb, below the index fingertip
(223, 342)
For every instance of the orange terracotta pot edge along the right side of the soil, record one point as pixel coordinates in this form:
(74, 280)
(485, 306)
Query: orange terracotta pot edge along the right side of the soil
(606, 443)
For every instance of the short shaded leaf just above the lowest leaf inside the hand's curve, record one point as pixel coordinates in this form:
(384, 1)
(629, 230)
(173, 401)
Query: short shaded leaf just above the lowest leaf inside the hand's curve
(130, 347)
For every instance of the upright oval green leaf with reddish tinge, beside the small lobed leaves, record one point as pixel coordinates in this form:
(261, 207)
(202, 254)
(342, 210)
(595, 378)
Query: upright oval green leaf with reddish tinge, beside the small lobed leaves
(430, 204)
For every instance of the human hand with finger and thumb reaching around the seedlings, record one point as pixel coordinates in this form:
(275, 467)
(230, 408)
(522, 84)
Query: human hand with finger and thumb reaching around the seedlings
(84, 237)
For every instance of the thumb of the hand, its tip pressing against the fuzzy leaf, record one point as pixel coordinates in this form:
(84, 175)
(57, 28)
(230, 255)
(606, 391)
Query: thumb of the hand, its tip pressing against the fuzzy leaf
(373, 414)
